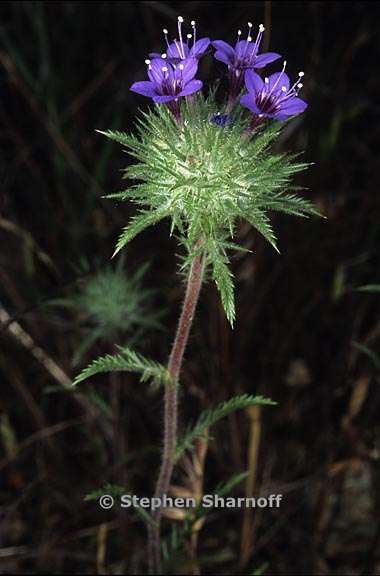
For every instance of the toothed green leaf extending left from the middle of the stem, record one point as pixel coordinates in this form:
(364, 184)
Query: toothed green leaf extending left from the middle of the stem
(126, 361)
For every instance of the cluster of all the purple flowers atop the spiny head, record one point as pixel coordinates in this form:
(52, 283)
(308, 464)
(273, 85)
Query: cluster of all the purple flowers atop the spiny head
(172, 76)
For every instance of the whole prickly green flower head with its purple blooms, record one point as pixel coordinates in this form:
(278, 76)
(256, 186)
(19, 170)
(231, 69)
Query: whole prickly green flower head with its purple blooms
(206, 165)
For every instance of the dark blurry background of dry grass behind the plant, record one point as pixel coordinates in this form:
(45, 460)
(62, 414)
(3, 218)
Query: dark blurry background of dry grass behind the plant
(65, 70)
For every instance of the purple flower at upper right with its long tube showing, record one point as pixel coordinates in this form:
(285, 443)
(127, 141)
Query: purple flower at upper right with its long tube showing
(243, 57)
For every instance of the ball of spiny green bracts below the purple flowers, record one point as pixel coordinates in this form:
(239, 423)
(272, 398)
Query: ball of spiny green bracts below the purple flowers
(205, 178)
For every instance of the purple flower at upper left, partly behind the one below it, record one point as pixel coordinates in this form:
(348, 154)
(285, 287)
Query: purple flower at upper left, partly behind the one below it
(180, 49)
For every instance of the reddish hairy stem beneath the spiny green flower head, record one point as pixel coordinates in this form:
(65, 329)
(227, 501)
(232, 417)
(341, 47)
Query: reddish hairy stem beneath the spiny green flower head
(194, 283)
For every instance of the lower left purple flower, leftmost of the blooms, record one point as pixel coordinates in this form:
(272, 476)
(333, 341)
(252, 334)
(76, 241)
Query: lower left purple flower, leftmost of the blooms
(168, 82)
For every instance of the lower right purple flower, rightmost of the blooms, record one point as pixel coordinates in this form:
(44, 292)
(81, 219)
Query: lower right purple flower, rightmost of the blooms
(273, 97)
